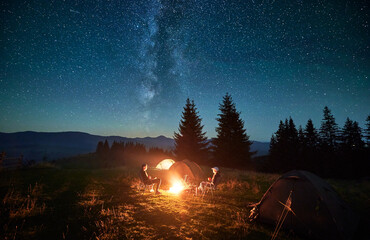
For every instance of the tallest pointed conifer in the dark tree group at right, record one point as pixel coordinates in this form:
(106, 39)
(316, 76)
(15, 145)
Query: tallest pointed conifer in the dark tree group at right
(329, 130)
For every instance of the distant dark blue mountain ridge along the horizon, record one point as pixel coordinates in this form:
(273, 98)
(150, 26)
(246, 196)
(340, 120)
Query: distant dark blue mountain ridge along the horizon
(56, 145)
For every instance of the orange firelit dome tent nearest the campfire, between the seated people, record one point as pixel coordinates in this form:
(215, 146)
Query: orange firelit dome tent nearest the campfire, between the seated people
(191, 169)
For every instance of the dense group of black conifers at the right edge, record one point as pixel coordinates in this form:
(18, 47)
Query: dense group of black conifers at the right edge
(329, 151)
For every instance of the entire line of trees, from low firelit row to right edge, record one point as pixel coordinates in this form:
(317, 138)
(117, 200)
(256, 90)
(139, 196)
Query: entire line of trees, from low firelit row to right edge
(329, 151)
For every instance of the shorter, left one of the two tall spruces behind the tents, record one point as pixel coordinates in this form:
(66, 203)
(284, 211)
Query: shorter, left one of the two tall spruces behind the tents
(191, 142)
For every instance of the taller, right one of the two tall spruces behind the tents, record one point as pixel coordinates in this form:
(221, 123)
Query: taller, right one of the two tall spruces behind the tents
(232, 145)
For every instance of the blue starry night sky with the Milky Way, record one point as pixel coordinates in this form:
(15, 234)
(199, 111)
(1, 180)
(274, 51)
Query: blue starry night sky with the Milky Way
(125, 67)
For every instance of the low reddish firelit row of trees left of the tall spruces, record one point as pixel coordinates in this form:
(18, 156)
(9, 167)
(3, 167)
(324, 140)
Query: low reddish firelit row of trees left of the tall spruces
(129, 153)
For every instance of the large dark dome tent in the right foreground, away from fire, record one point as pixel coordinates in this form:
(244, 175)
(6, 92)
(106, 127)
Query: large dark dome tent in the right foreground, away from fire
(318, 211)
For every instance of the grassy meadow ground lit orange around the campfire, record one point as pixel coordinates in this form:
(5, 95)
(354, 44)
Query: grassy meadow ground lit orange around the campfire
(58, 203)
